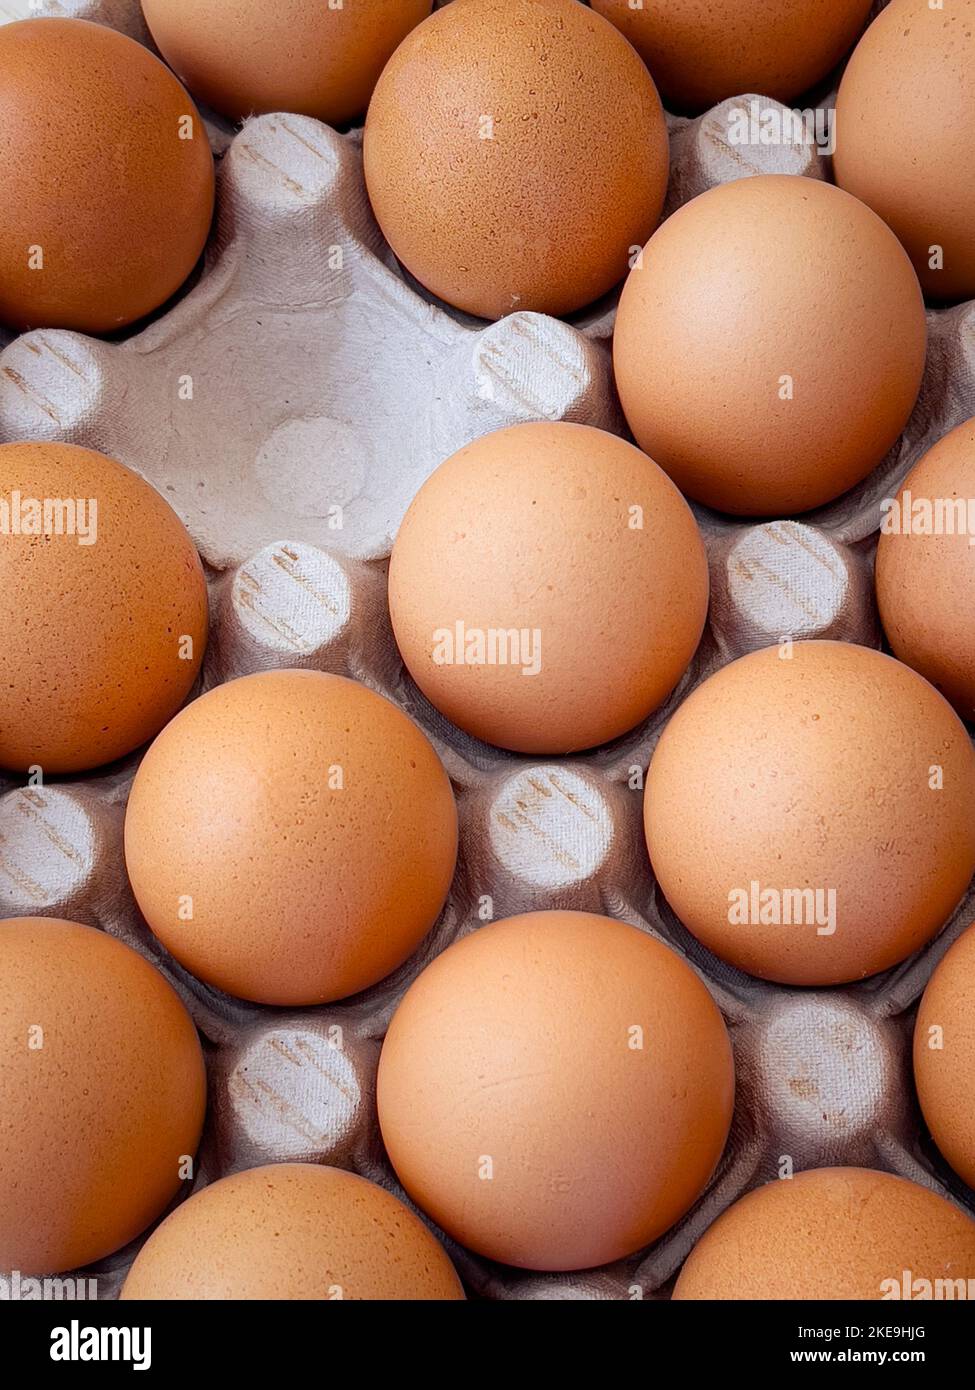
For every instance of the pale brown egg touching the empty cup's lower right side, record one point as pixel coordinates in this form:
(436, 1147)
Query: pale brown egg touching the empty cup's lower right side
(549, 587)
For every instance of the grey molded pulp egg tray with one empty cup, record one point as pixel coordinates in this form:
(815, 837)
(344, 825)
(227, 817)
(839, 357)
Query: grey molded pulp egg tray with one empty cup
(325, 386)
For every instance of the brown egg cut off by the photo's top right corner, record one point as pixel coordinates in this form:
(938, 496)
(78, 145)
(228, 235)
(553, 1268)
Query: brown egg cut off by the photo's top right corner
(905, 134)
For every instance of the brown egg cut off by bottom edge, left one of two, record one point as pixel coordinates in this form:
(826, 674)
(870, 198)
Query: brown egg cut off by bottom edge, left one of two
(293, 1232)
